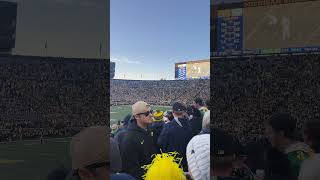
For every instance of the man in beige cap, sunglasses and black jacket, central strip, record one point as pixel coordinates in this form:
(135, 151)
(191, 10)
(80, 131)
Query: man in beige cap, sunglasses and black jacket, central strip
(137, 146)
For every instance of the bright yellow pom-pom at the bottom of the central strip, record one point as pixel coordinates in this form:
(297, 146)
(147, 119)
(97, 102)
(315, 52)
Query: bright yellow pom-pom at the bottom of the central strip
(165, 166)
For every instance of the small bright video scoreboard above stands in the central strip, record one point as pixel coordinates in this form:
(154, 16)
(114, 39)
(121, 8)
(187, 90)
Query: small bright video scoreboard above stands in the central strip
(192, 70)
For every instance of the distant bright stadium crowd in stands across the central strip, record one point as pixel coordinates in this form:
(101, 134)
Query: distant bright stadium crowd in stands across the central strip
(163, 92)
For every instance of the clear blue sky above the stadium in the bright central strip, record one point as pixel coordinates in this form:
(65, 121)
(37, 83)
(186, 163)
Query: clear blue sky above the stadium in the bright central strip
(147, 37)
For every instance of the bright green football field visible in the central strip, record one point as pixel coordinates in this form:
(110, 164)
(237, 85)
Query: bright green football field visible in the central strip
(117, 113)
